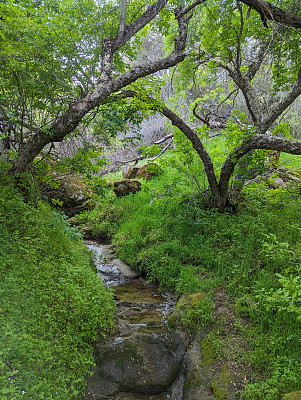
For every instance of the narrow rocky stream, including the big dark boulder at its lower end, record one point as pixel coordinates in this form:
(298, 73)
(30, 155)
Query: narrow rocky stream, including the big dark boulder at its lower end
(143, 360)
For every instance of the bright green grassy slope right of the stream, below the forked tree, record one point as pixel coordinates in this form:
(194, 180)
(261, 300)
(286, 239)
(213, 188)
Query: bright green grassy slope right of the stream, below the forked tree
(166, 231)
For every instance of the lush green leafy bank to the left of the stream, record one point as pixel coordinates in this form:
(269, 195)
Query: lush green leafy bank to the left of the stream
(52, 305)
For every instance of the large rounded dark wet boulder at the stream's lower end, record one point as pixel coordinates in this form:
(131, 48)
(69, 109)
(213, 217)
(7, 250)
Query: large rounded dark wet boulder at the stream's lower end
(142, 363)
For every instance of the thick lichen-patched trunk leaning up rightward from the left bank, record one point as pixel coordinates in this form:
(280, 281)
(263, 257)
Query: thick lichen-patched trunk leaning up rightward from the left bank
(77, 110)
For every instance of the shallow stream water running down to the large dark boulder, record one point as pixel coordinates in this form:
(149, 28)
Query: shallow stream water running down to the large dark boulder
(141, 307)
